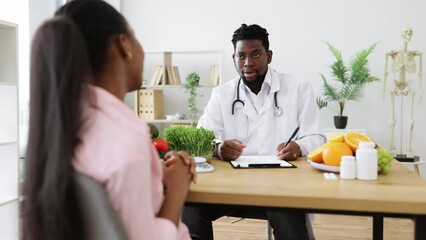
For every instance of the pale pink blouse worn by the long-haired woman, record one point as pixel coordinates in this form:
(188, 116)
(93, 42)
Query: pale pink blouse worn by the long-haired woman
(116, 151)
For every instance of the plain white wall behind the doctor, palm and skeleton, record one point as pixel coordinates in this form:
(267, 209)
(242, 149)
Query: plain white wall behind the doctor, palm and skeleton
(298, 30)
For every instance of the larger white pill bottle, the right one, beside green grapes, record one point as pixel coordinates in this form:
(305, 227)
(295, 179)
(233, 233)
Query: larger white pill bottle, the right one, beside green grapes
(366, 161)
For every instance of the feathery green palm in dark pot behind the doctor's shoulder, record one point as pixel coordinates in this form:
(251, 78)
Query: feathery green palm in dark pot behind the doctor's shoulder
(351, 79)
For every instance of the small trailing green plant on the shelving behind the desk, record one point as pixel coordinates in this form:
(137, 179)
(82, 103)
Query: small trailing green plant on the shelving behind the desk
(191, 83)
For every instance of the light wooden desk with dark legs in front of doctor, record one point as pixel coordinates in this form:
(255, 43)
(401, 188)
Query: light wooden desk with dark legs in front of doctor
(399, 194)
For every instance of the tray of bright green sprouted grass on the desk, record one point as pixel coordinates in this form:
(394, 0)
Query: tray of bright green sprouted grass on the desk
(198, 142)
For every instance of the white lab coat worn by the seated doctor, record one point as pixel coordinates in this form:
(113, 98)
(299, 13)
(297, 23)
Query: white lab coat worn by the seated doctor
(262, 131)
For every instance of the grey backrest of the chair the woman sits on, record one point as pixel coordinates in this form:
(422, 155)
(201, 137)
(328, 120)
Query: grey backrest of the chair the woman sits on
(100, 220)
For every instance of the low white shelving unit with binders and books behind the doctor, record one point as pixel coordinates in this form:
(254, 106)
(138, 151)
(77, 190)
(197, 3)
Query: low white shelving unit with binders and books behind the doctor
(174, 96)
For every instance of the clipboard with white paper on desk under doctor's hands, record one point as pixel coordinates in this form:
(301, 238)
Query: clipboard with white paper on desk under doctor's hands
(256, 161)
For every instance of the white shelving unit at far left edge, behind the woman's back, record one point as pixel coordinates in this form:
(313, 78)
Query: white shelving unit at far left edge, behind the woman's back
(9, 132)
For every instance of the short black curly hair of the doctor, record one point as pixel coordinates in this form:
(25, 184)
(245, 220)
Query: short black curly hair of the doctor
(251, 32)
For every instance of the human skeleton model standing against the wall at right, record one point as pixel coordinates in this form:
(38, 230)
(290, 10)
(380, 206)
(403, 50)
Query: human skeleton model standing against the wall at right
(403, 61)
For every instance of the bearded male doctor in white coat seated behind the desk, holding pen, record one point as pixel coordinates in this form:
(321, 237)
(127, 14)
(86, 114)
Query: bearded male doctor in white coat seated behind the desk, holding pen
(255, 114)
